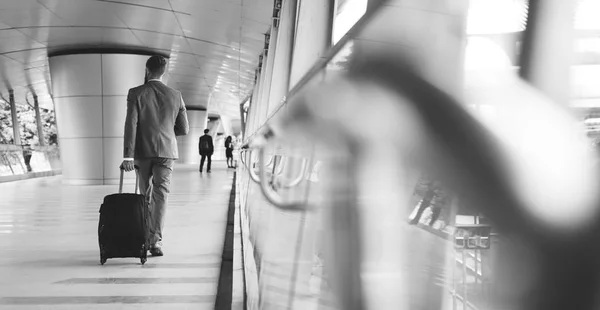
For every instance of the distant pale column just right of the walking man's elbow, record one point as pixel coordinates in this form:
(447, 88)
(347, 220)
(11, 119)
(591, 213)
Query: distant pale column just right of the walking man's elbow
(188, 144)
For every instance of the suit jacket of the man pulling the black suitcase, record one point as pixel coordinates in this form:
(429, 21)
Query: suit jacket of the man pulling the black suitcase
(155, 116)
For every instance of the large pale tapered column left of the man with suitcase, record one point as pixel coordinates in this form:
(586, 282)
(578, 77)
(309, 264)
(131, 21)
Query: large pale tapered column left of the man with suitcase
(90, 96)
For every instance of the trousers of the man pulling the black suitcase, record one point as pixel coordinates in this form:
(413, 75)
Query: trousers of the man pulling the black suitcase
(155, 180)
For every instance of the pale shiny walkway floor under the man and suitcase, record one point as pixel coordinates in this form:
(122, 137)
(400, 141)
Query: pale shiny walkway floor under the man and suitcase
(49, 256)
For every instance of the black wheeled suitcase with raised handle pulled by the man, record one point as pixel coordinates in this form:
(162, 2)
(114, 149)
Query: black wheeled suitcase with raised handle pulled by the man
(123, 225)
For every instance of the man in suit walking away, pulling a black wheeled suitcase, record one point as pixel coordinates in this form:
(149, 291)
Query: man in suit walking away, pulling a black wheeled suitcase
(156, 114)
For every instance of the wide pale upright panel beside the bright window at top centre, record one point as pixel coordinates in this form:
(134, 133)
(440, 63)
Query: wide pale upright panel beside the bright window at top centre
(312, 37)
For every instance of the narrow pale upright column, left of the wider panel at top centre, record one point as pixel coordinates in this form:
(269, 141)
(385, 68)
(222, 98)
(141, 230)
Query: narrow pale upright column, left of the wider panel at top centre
(283, 54)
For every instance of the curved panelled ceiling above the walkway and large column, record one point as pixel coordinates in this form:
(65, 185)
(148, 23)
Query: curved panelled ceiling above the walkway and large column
(213, 45)
